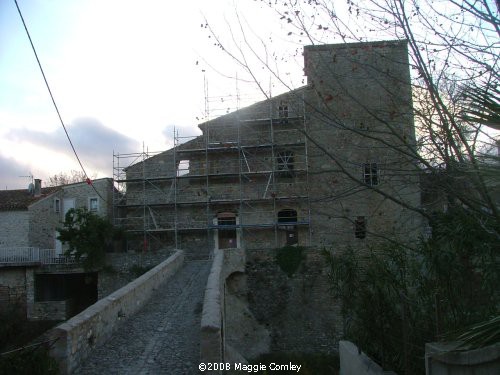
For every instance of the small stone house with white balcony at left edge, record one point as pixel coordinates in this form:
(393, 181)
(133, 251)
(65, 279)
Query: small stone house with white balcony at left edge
(34, 274)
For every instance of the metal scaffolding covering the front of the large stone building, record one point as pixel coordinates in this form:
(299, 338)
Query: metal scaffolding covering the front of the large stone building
(253, 164)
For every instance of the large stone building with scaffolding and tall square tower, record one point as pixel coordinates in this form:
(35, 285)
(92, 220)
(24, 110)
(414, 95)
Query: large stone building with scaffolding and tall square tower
(329, 164)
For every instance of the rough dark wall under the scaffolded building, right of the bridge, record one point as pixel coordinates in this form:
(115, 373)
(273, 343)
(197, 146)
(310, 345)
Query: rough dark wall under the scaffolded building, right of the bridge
(299, 311)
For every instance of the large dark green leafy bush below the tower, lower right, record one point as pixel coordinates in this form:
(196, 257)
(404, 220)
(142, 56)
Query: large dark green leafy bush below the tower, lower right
(394, 300)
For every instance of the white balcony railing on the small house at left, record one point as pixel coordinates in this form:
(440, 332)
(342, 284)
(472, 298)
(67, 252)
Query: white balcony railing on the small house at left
(30, 255)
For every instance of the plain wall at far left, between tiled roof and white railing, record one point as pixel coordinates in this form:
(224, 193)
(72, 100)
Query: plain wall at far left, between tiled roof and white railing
(14, 228)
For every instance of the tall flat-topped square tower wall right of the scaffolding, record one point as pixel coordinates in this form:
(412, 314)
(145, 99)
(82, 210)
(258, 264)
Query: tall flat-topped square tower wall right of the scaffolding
(360, 112)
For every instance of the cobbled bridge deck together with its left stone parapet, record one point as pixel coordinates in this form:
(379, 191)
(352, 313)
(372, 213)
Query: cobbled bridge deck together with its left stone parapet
(150, 326)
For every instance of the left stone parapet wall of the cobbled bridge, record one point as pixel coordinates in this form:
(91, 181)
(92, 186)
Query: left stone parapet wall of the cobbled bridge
(78, 336)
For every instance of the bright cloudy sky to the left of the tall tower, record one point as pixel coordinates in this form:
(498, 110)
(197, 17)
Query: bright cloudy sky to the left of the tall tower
(124, 75)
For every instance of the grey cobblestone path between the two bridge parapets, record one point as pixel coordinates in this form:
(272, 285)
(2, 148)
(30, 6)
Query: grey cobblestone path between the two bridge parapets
(164, 336)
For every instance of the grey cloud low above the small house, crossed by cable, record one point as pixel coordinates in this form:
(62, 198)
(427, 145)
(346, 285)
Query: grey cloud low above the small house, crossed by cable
(94, 142)
